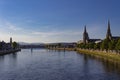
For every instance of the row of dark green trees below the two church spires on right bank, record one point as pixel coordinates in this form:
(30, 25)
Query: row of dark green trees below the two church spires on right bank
(106, 44)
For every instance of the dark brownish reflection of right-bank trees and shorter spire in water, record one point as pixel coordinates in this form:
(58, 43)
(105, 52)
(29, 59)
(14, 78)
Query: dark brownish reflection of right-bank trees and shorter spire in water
(109, 66)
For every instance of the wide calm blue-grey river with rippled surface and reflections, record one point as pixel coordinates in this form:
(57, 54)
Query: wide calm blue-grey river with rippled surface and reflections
(43, 64)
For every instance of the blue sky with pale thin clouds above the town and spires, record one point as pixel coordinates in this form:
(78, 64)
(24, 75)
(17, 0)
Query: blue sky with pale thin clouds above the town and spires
(50, 21)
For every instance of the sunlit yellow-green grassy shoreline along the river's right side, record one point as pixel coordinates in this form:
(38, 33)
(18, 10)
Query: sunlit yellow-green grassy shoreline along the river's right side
(99, 54)
